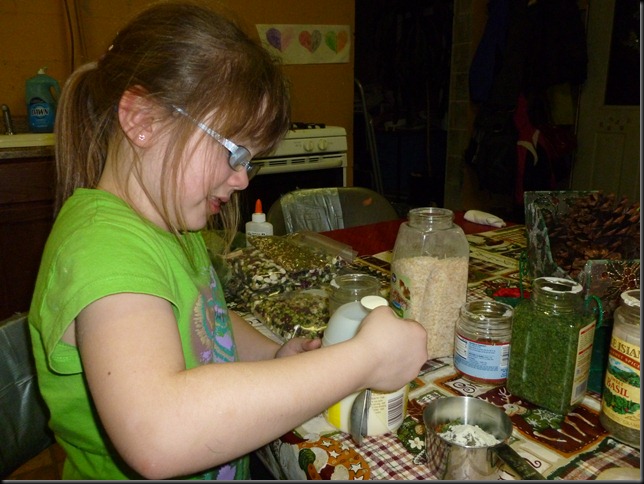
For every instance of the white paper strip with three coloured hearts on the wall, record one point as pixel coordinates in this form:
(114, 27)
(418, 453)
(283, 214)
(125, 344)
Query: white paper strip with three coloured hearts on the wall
(307, 44)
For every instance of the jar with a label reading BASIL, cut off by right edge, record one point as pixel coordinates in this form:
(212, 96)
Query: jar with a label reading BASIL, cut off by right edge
(620, 412)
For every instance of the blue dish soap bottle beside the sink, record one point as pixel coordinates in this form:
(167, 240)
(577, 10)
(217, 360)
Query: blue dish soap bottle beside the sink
(41, 94)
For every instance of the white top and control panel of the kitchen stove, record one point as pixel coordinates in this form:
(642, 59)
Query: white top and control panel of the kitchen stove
(307, 146)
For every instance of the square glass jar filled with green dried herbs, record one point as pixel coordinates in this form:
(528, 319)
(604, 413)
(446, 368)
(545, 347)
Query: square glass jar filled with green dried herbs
(552, 340)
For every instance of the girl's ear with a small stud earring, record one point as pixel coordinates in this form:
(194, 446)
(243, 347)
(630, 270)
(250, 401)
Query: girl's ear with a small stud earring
(136, 116)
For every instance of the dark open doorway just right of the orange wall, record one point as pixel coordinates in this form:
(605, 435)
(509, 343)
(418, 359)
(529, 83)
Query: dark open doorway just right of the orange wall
(402, 60)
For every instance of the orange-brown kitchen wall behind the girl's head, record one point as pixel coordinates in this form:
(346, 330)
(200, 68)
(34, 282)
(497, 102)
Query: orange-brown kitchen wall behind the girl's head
(35, 34)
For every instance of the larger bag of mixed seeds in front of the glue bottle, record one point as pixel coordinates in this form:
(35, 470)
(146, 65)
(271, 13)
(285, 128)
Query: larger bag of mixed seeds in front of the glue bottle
(275, 265)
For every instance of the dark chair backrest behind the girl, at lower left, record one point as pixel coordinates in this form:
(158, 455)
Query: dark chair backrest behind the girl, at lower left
(23, 412)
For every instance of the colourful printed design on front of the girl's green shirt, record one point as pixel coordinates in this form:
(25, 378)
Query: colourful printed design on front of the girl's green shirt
(211, 325)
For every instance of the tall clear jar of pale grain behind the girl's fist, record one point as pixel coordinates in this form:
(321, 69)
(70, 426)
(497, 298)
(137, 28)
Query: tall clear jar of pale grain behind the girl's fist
(429, 271)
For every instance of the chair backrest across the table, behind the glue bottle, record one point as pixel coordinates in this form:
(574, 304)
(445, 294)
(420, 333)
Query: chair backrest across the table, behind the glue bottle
(321, 209)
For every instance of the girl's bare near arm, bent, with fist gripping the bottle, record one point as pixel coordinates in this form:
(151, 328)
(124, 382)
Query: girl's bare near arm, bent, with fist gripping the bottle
(167, 421)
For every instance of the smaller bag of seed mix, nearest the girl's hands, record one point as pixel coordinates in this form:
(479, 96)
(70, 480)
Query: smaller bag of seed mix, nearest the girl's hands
(294, 313)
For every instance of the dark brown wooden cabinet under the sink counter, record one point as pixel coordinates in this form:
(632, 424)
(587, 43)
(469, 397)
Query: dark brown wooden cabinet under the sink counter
(26, 217)
